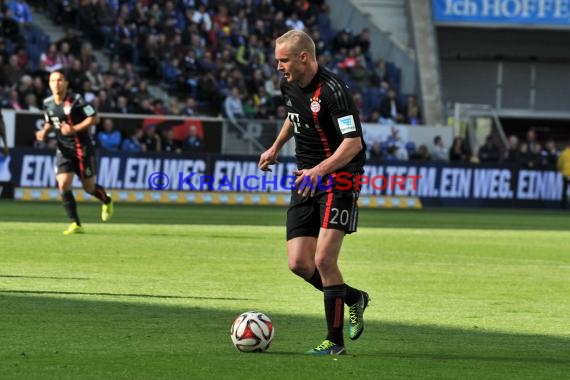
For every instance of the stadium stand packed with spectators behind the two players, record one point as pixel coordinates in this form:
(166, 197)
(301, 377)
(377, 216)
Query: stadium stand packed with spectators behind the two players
(185, 57)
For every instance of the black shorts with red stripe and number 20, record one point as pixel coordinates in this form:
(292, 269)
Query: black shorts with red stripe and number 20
(329, 208)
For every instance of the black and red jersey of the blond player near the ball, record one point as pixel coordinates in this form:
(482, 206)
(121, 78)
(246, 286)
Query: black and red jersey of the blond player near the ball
(322, 115)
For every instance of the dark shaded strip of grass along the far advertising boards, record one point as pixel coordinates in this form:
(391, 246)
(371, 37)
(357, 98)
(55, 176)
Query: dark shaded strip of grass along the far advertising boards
(511, 219)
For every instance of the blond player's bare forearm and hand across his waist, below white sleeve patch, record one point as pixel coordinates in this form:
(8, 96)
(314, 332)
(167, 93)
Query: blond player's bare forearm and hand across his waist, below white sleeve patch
(345, 152)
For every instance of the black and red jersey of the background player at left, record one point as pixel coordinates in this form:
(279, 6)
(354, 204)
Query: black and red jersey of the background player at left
(73, 110)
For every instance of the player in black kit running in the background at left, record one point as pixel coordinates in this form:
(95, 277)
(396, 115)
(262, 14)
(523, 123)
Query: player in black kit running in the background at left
(72, 119)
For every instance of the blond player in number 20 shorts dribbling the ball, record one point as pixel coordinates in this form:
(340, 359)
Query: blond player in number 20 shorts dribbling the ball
(324, 121)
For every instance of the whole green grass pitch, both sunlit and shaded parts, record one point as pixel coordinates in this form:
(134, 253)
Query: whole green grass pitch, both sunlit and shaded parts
(456, 294)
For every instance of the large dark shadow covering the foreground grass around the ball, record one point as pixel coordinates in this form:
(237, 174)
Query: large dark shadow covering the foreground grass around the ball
(100, 337)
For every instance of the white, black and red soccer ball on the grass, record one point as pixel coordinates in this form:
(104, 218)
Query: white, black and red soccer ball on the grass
(252, 331)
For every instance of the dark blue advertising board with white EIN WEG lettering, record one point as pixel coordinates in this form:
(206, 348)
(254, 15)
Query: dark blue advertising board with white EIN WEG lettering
(439, 185)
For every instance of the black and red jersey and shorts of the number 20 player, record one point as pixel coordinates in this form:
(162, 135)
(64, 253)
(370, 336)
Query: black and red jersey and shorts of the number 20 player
(322, 115)
